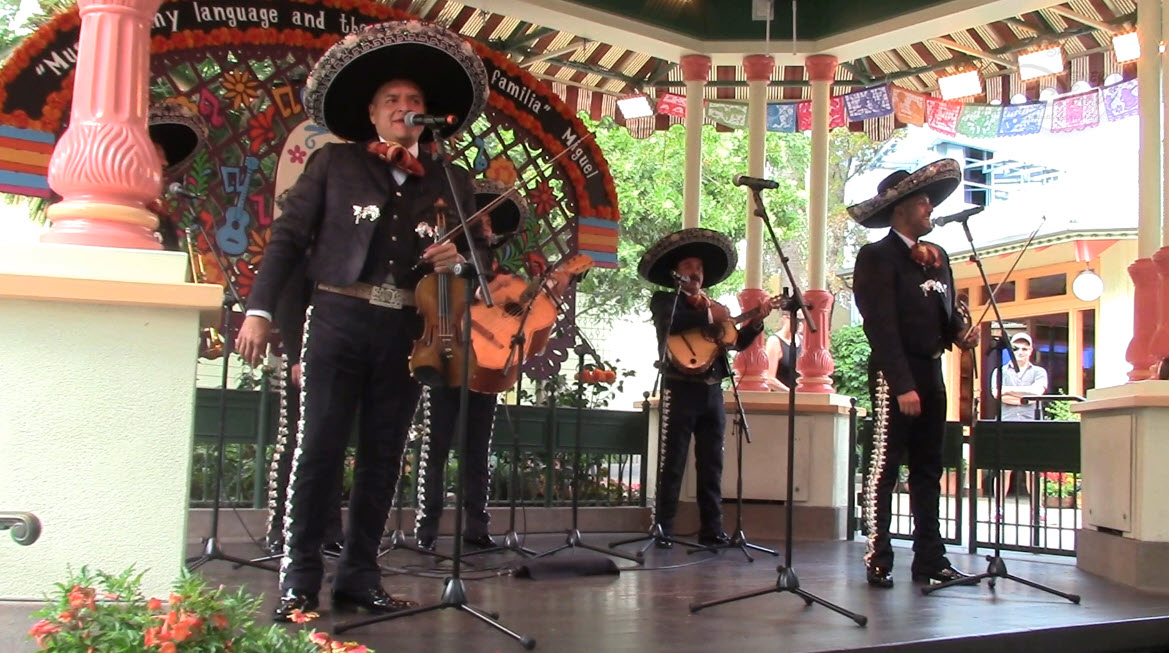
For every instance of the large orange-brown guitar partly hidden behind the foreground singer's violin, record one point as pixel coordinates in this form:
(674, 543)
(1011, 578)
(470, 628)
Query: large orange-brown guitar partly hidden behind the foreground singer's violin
(523, 312)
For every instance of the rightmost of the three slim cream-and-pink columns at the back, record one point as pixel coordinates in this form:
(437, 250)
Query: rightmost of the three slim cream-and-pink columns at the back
(817, 364)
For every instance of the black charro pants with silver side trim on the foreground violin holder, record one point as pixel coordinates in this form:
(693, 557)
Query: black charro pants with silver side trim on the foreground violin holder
(355, 360)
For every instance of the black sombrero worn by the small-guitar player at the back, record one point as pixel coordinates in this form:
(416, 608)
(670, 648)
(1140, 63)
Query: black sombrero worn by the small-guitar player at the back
(716, 251)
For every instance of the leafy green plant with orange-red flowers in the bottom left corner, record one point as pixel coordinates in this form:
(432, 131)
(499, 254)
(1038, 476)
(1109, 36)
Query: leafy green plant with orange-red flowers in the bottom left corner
(102, 613)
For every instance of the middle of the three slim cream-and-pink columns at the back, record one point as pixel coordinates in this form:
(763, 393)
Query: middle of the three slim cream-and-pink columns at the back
(752, 363)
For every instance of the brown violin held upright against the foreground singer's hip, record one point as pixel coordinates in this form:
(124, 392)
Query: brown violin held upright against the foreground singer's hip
(441, 297)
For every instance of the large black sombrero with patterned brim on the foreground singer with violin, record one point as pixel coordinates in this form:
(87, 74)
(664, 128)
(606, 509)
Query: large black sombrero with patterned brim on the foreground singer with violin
(444, 65)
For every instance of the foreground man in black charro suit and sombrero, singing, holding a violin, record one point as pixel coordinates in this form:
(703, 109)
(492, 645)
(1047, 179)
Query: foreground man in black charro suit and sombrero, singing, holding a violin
(363, 207)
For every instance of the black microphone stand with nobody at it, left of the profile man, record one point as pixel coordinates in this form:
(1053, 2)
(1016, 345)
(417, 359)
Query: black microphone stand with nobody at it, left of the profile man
(787, 580)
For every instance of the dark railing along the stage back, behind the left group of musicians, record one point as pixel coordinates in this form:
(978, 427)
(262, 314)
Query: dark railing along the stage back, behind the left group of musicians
(613, 454)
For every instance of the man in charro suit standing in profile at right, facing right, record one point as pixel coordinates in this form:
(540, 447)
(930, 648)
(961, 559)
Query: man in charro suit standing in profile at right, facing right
(905, 291)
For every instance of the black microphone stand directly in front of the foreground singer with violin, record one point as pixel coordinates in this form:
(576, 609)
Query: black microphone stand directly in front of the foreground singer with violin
(454, 594)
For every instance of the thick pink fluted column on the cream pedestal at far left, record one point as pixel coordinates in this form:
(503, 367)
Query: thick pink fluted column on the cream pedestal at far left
(105, 166)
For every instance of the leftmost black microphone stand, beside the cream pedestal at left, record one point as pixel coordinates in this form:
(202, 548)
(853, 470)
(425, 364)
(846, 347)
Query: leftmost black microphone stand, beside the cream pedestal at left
(212, 550)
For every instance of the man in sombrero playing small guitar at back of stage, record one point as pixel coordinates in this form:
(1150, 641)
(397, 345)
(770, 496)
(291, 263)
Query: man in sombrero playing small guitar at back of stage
(688, 262)
